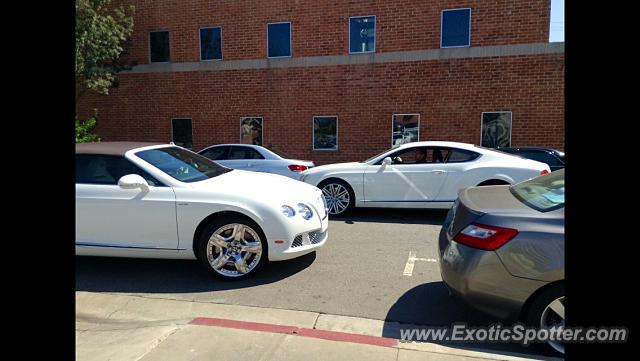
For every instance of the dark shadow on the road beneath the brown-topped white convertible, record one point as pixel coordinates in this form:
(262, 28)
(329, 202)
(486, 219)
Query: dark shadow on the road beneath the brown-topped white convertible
(141, 275)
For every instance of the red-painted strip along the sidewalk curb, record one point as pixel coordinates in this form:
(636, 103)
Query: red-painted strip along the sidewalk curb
(300, 331)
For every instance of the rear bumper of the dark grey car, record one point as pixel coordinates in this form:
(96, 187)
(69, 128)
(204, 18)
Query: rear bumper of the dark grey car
(480, 278)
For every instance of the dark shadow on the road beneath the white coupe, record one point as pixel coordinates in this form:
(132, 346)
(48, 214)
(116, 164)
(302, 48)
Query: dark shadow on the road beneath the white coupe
(392, 215)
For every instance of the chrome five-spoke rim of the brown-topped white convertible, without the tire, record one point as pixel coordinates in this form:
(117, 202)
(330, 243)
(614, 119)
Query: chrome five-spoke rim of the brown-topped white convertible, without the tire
(234, 250)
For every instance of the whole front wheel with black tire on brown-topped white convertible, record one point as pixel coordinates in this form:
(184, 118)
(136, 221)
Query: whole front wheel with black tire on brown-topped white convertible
(232, 248)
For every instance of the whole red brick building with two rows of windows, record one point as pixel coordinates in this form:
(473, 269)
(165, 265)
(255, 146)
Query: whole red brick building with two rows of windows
(338, 80)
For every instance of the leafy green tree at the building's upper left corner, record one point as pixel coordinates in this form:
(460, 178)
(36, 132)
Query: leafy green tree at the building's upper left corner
(101, 33)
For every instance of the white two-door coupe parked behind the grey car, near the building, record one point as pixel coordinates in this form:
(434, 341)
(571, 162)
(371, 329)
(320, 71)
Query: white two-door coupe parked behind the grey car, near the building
(417, 175)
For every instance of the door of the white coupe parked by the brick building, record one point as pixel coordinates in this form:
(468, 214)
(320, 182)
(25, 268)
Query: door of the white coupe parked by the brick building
(408, 179)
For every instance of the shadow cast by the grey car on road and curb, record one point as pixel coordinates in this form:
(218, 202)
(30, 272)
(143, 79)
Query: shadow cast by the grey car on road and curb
(429, 305)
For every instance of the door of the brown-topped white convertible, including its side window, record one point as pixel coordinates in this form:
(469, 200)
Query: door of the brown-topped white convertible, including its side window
(109, 216)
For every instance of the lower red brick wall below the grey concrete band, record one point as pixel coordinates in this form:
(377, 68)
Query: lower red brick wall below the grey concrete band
(450, 96)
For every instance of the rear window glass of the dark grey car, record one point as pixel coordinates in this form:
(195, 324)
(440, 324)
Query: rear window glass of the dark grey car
(544, 193)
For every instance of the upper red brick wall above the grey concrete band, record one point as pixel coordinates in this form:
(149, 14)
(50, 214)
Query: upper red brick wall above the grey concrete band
(320, 27)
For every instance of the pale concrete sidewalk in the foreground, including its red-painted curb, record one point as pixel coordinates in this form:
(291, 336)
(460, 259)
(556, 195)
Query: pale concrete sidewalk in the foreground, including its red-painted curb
(122, 327)
